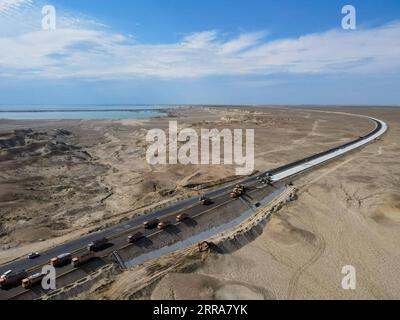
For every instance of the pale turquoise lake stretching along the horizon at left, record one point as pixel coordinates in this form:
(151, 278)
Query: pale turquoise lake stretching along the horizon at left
(80, 112)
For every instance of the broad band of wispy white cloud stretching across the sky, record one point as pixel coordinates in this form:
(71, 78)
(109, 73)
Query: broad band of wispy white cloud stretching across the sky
(82, 47)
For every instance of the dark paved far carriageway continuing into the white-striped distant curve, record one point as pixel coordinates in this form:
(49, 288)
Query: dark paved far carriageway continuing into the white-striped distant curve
(118, 233)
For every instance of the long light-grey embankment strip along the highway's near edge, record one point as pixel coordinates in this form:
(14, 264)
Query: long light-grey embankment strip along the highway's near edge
(201, 236)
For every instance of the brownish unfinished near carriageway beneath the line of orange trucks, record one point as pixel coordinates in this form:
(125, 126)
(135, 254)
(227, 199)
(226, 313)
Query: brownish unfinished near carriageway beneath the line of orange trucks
(200, 218)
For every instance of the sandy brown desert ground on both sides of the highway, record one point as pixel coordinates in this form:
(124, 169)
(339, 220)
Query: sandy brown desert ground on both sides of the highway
(68, 178)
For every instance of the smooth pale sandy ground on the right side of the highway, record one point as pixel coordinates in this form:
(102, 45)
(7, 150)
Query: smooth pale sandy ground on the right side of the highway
(347, 213)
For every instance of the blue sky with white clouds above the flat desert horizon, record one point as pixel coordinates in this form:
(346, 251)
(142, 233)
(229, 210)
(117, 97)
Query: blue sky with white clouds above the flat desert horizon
(200, 52)
